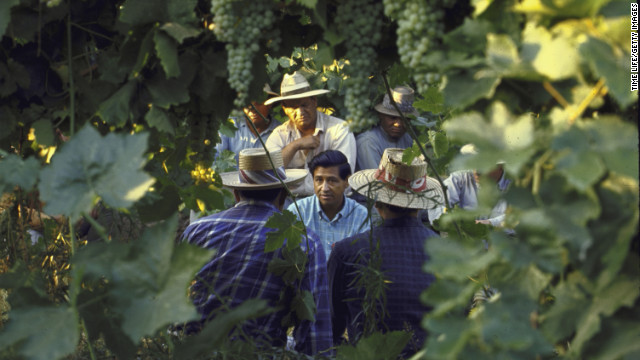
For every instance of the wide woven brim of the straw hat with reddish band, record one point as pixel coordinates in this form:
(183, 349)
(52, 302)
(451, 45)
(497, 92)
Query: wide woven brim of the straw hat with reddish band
(365, 183)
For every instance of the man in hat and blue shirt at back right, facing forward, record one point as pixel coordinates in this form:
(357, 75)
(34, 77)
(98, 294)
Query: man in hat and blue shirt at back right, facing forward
(390, 132)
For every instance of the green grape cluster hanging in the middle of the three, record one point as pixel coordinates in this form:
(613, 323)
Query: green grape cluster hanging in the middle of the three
(360, 21)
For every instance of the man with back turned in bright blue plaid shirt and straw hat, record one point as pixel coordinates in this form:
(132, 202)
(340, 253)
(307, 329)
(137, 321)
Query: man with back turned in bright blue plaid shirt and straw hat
(239, 269)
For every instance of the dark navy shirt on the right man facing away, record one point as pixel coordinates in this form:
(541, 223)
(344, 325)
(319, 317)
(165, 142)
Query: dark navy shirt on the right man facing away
(402, 250)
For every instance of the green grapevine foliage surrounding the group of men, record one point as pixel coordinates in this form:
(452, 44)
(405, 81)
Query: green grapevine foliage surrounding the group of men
(142, 92)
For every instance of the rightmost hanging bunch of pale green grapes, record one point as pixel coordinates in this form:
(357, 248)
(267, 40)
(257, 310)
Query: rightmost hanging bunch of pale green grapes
(420, 29)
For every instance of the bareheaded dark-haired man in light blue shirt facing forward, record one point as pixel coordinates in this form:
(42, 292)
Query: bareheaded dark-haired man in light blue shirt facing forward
(329, 213)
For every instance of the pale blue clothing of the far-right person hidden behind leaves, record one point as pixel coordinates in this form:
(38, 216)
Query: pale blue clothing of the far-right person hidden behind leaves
(462, 190)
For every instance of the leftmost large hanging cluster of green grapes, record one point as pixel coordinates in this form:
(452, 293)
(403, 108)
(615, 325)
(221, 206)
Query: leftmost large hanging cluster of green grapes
(242, 25)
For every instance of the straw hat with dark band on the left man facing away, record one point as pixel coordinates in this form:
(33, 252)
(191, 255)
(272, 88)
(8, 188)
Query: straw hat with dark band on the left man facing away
(255, 171)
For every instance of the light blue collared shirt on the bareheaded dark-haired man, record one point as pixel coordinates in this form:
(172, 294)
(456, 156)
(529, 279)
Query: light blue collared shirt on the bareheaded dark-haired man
(352, 219)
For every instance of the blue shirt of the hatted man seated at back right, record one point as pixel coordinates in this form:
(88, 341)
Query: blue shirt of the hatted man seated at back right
(372, 143)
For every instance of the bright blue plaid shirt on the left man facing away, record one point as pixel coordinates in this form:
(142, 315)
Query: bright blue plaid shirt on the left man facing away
(238, 272)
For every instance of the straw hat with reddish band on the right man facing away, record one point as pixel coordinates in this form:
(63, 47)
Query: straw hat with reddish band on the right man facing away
(399, 184)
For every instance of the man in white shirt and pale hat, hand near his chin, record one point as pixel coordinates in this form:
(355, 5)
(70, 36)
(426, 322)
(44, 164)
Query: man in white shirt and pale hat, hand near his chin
(308, 131)
